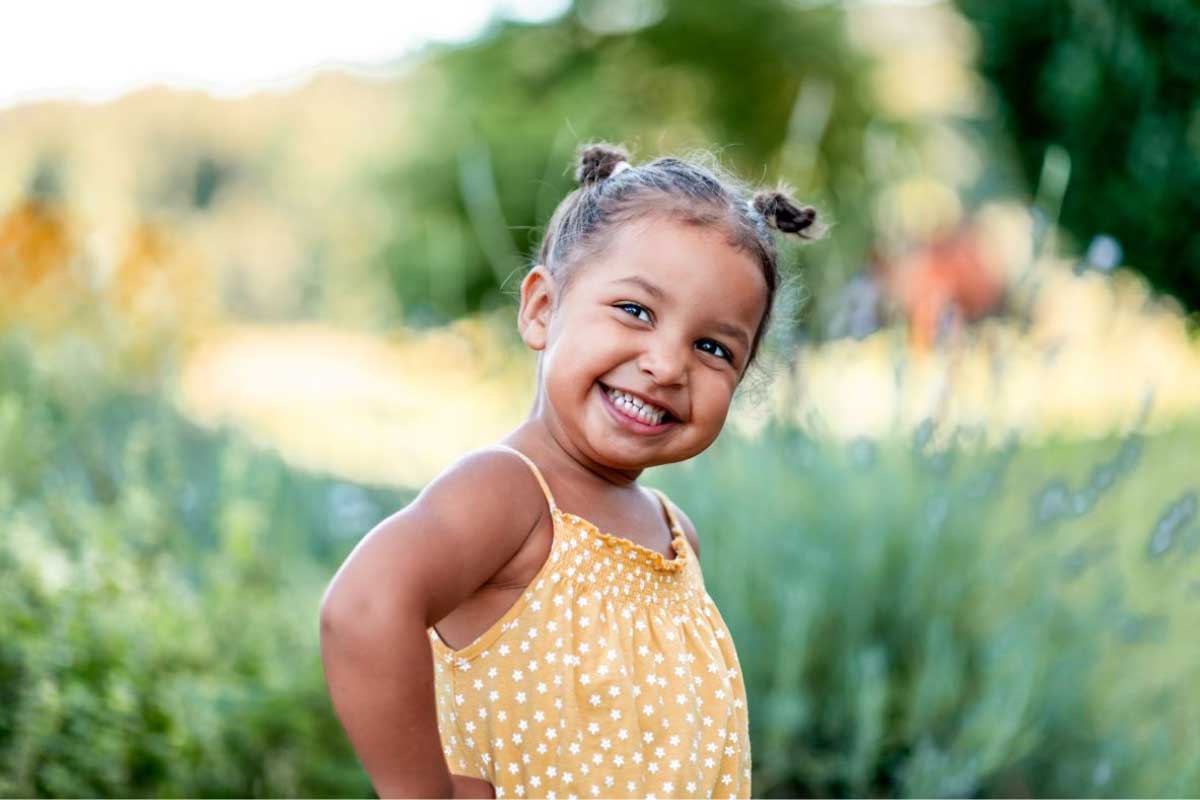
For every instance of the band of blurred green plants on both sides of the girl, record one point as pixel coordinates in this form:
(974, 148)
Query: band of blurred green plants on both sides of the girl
(911, 619)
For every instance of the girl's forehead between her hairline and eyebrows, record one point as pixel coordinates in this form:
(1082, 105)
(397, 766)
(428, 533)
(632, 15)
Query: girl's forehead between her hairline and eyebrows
(687, 266)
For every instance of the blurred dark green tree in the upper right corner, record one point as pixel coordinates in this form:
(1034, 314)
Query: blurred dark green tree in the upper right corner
(1118, 86)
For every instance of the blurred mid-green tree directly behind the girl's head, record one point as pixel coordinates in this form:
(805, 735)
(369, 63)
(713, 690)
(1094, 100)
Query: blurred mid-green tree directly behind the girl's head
(775, 89)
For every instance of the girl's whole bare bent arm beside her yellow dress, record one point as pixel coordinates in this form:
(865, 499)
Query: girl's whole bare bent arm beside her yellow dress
(410, 572)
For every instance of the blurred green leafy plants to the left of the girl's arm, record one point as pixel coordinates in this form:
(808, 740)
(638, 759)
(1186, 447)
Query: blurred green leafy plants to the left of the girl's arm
(159, 598)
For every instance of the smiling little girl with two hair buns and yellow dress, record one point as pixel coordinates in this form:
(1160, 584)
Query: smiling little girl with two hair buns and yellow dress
(536, 623)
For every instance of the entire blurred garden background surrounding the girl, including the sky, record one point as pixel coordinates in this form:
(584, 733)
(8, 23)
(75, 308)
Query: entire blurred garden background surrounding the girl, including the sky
(260, 285)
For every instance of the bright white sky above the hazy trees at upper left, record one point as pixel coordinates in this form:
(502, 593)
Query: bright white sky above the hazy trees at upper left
(95, 52)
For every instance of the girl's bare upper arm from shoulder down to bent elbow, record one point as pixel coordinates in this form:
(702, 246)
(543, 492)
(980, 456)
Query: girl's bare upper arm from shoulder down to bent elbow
(436, 552)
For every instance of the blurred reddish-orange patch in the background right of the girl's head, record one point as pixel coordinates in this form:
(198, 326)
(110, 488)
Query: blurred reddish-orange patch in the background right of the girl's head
(945, 284)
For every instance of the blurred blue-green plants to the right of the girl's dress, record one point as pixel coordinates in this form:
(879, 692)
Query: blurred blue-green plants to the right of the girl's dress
(919, 622)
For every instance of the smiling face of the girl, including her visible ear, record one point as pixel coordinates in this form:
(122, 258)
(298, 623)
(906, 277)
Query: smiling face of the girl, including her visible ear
(667, 312)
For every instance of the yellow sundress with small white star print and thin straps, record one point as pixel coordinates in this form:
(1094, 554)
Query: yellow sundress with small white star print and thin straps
(613, 676)
